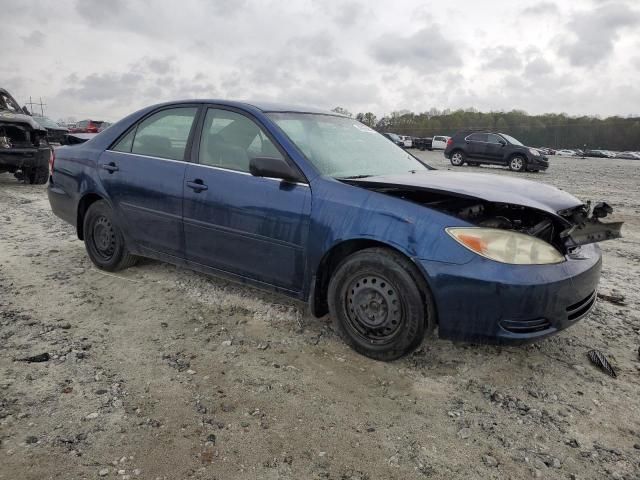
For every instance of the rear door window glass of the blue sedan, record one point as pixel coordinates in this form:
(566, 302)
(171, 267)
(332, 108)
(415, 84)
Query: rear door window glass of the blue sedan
(165, 134)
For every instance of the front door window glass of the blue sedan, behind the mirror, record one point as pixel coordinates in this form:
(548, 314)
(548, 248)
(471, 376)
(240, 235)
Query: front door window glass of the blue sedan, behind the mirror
(230, 140)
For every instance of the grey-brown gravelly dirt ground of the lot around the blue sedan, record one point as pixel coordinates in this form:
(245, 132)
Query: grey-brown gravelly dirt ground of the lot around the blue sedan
(161, 373)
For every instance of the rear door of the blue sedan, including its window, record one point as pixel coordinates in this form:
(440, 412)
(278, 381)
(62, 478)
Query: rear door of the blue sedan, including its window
(143, 175)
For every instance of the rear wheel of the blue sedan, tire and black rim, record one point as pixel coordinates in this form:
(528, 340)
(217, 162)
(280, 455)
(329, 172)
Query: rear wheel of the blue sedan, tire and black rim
(103, 239)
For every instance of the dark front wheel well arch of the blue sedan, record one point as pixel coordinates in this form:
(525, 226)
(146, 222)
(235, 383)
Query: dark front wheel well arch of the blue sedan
(333, 258)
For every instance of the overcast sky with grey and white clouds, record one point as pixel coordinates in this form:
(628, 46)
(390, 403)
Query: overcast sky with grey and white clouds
(106, 58)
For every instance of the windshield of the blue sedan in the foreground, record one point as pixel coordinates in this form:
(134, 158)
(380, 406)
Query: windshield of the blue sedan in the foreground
(344, 148)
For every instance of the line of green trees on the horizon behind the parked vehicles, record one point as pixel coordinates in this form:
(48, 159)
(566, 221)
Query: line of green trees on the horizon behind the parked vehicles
(548, 130)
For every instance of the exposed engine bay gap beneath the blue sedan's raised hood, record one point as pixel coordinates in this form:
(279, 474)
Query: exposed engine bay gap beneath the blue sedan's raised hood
(567, 230)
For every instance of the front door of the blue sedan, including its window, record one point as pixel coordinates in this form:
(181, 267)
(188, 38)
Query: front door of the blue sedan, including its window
(253, 227)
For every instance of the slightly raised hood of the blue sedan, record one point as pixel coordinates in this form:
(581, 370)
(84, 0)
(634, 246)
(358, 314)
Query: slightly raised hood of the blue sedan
(483, 186)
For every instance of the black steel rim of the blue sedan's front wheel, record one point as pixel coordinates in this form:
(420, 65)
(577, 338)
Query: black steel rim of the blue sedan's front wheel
(373, 308)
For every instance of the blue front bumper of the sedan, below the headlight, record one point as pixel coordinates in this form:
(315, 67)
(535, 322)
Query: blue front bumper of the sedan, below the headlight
(488, 302)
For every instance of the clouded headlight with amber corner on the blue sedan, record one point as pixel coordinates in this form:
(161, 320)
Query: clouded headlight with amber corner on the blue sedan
(506, 246)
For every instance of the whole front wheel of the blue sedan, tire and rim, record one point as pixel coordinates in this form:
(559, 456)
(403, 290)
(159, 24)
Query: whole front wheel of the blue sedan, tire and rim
(387, 281)
